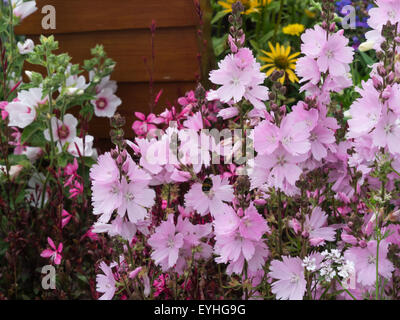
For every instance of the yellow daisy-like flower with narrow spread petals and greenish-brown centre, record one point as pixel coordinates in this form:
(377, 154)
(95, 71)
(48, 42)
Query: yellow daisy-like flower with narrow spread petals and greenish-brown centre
(279, 58)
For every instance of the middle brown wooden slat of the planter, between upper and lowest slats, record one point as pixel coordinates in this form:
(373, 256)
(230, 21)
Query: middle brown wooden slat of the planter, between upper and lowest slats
(175, 52)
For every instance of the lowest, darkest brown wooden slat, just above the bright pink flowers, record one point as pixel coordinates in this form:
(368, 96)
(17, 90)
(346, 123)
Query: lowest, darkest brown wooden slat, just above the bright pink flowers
(135, 97)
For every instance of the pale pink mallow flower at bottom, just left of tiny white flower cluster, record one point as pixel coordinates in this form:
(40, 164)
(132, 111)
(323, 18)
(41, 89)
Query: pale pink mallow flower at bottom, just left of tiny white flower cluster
(291, 284)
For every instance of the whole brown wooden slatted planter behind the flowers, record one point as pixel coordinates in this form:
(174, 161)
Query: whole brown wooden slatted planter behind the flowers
(123, 27)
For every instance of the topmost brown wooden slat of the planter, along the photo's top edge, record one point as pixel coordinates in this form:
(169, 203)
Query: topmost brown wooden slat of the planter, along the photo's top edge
(92, 15)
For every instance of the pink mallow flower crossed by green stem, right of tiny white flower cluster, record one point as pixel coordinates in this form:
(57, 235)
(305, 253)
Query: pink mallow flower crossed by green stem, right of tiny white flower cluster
(365, 262)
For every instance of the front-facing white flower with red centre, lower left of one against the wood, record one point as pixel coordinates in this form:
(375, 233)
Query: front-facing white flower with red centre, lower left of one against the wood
(63, 131)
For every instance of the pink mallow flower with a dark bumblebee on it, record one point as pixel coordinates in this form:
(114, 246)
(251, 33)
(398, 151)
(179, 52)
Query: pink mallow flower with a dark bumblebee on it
(211, 200)
